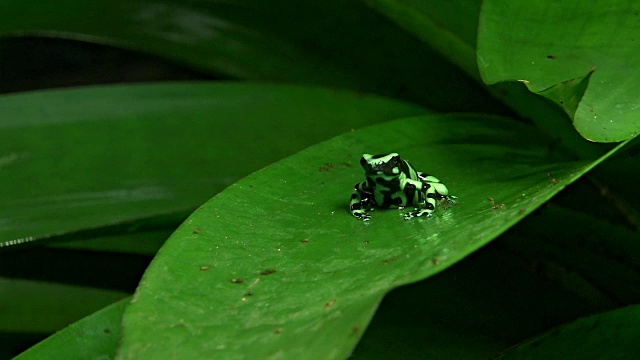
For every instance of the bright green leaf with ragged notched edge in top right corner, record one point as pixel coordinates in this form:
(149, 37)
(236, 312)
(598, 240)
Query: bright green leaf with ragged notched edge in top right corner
(550, 44)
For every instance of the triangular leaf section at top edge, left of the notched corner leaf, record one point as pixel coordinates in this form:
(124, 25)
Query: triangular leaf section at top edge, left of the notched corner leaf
(450, 27)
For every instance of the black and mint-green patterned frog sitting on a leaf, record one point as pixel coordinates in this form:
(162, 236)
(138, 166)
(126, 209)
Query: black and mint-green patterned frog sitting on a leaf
(393, 182)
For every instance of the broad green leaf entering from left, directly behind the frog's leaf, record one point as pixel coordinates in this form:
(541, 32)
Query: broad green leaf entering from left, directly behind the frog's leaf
(86, 158)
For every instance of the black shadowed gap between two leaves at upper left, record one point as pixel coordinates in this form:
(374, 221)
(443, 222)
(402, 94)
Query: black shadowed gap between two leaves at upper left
(34, 63)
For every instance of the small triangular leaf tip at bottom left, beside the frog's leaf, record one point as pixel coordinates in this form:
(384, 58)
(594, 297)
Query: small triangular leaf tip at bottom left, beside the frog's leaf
(94, 337)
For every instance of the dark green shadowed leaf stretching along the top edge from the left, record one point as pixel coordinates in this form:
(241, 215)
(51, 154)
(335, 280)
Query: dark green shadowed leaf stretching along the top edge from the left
(328, 43)
